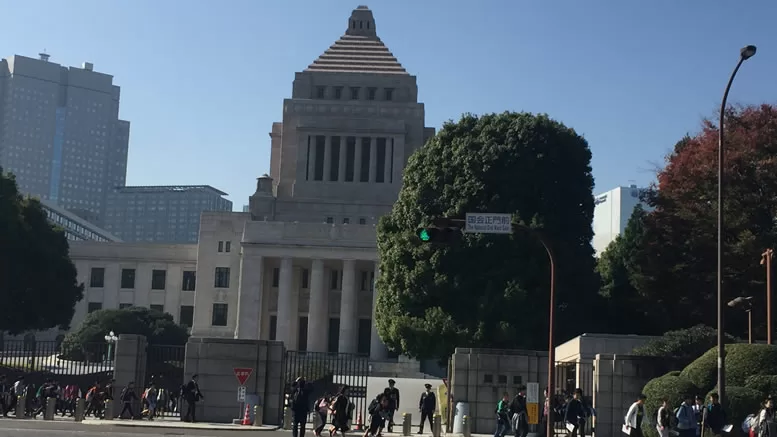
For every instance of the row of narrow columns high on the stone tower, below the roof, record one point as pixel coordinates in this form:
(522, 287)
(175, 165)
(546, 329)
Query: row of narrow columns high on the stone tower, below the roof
(357, 160)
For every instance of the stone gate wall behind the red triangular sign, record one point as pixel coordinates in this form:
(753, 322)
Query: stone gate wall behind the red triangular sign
(214, 360)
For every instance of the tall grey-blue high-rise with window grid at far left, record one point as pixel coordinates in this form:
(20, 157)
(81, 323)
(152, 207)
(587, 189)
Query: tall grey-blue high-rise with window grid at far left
(60, 133)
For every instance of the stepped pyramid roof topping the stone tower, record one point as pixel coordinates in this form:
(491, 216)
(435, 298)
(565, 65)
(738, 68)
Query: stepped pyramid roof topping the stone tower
(359, 50)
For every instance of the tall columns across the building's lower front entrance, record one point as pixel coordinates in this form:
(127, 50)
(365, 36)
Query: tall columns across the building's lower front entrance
(249, 307)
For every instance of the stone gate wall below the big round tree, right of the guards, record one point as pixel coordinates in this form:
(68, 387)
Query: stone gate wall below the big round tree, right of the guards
(480, 376)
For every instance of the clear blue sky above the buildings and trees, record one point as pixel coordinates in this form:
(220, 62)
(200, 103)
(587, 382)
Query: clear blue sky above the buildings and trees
(202, 81)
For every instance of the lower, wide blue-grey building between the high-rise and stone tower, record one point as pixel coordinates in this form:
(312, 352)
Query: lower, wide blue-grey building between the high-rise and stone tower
(161, 214)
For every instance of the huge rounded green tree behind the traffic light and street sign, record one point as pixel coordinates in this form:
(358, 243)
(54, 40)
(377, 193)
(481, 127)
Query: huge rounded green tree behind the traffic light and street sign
(489, 290)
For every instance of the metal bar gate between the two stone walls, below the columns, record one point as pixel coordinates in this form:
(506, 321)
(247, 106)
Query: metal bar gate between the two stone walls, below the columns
(326, 373)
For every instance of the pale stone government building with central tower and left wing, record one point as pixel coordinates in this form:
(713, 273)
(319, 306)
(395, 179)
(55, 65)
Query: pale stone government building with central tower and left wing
(300, 265)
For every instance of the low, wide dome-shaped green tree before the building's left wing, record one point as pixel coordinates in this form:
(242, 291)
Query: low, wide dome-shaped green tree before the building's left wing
(158, 328)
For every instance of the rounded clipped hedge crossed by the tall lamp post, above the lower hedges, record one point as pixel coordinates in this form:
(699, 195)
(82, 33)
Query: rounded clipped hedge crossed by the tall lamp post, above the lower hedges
(742, 361)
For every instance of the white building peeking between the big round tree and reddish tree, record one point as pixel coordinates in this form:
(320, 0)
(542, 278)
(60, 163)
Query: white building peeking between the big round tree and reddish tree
(612, 211)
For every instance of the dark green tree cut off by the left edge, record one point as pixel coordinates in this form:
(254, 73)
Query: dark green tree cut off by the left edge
(38, 284)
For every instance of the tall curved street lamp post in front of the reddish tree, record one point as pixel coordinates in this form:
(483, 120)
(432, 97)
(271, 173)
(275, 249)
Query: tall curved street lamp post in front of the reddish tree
(744, 54)
